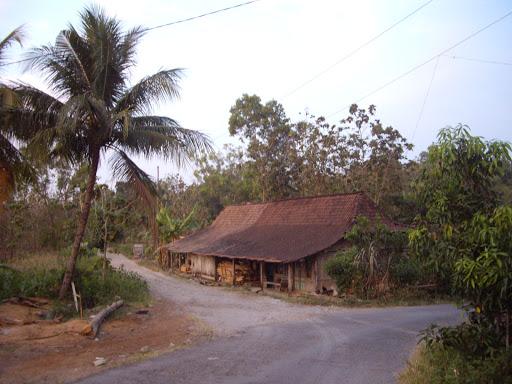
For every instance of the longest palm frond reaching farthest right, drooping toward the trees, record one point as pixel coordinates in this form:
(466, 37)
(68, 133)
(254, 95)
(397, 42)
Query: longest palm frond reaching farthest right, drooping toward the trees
(162, 136)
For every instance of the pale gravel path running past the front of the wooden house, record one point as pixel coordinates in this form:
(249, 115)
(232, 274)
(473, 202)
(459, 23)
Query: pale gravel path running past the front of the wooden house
(224, 311)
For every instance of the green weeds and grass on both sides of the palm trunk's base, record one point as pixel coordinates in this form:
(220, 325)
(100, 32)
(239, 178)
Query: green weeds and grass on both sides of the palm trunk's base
(40, 275)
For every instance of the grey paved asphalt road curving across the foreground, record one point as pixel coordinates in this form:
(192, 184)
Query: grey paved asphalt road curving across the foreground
(336, 346)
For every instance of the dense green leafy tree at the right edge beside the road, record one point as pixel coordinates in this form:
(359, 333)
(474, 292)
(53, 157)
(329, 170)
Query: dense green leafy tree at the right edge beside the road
(463, 234)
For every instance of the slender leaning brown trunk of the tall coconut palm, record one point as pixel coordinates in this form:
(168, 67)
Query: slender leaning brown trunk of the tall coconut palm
(82, 224)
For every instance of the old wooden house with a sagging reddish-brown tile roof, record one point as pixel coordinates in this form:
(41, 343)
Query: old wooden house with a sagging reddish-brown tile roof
(282, 244)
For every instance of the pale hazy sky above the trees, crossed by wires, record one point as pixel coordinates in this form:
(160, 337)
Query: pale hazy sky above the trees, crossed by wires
(271, 47)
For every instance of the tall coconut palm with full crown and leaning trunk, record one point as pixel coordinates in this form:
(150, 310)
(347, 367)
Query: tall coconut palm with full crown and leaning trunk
(91, 112)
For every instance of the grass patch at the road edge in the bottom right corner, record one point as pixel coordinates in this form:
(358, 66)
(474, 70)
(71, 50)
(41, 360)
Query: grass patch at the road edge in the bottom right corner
(440, 365)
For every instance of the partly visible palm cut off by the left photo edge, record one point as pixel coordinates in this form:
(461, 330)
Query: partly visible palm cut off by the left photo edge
(13, 166)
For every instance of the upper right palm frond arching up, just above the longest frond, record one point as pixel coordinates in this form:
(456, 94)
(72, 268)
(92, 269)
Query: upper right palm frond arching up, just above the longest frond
(143, 96)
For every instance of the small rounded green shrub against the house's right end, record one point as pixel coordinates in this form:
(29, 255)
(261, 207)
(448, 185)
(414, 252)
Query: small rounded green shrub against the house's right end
(342, 269)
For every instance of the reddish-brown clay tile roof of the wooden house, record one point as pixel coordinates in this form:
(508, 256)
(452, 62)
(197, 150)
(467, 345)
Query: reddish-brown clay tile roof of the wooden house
(280, 231)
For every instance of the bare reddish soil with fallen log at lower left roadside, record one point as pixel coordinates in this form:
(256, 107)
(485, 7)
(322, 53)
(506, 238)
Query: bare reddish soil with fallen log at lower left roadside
(38, 351)
